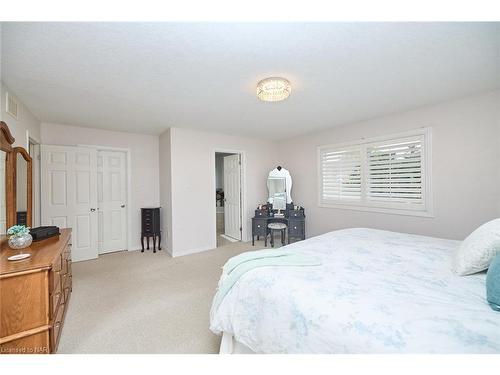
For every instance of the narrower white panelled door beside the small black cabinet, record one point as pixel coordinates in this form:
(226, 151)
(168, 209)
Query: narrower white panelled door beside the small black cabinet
(112, 197)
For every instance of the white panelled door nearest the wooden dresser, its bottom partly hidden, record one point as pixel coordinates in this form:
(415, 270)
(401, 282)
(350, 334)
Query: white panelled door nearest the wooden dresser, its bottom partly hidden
(69, 195)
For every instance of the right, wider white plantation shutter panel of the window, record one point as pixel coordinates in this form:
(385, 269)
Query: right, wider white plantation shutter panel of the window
(394, 171)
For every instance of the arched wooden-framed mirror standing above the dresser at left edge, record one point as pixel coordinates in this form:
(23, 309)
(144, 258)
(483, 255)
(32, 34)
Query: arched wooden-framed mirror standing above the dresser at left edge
(15, 182)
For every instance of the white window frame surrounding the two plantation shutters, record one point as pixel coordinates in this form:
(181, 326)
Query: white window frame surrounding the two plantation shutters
(425, 210)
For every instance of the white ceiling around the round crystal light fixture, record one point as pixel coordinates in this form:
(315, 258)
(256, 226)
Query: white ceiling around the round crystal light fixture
(145, 77)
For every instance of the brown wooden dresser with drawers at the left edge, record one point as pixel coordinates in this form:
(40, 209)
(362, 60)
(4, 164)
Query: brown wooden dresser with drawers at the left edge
(34, 295)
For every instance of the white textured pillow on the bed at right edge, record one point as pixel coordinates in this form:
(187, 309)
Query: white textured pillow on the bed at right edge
(478, 250)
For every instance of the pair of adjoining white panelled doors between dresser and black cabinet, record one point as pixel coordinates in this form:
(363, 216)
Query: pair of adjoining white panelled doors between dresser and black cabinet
(85, 189)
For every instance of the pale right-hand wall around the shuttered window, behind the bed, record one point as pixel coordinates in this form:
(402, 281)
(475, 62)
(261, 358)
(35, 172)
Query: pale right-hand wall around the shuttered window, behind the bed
(465, 162)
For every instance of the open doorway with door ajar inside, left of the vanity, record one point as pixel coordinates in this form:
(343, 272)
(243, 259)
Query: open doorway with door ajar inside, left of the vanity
(228, 197)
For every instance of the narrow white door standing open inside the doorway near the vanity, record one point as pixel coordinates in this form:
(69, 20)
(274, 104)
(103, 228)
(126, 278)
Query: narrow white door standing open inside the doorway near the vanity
(232, 196)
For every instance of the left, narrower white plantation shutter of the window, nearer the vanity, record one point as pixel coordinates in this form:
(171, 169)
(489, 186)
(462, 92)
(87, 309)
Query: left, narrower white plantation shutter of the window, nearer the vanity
(340, 174)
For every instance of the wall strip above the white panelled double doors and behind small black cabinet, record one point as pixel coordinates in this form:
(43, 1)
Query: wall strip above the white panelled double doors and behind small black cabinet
(144, 162)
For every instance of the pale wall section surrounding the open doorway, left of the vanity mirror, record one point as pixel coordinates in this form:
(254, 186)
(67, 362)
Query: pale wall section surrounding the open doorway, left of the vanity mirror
(193, 221)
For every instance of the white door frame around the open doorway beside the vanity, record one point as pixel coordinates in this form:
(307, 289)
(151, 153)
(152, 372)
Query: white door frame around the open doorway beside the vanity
(243, 188)
